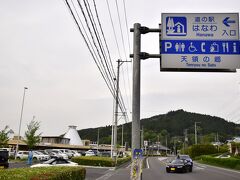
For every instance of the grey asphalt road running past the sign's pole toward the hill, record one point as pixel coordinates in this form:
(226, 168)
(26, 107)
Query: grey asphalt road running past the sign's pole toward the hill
(156, 170)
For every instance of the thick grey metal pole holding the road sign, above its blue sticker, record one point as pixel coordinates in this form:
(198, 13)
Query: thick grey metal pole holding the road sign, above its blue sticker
(136, 87)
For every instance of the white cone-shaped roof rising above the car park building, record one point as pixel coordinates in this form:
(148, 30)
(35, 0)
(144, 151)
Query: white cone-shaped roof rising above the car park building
(73, 135)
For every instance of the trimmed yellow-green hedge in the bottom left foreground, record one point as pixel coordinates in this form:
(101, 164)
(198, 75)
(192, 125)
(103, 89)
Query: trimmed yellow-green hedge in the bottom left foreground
(44, 173)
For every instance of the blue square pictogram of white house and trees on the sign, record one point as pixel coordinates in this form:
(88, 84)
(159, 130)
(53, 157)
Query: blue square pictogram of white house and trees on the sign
(176, 26)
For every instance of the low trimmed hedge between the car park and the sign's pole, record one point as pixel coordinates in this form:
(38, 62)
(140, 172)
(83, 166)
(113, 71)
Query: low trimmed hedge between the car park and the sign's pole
(99, 161)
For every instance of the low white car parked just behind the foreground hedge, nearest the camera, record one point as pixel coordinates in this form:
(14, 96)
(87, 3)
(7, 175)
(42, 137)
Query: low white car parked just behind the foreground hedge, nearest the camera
(55, 162)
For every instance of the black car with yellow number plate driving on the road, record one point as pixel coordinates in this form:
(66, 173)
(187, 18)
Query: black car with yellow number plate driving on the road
(177, 165)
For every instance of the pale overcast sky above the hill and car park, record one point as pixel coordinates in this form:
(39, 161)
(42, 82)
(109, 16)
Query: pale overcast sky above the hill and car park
(42, 49)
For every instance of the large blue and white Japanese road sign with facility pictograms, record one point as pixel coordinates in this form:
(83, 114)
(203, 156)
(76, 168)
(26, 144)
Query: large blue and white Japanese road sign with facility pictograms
(200, 41)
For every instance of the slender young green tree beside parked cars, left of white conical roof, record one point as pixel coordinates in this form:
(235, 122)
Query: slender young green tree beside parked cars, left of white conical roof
(31, 138)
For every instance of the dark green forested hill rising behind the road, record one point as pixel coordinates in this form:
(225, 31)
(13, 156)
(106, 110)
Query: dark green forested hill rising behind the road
(173, 124)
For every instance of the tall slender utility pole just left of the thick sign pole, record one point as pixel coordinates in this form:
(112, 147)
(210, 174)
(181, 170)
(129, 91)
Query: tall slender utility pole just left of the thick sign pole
(116, 111)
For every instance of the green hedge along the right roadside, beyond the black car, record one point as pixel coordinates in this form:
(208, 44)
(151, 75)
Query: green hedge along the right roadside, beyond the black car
(232, 163)
